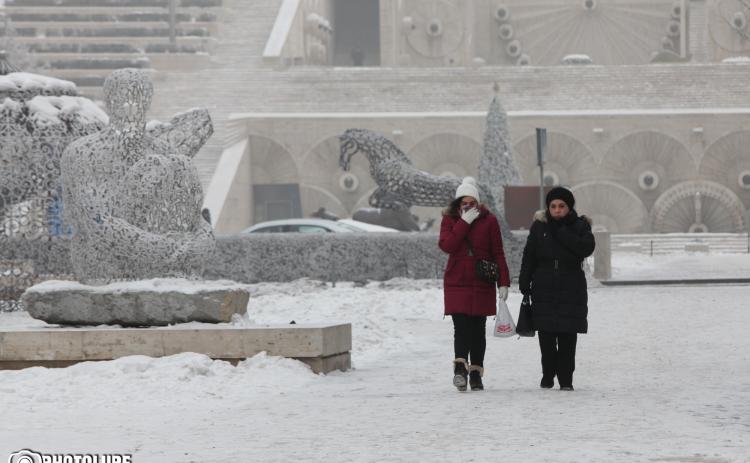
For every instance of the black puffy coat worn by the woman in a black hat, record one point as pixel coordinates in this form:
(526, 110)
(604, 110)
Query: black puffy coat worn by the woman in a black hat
(552, 272)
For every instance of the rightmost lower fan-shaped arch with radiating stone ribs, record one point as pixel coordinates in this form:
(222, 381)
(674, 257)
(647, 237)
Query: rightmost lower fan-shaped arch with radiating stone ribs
(698, 202)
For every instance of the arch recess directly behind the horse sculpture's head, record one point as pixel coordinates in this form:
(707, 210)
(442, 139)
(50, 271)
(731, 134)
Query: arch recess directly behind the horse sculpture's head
(320, 168)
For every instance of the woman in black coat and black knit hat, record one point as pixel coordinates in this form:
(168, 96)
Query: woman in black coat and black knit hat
(552, 274)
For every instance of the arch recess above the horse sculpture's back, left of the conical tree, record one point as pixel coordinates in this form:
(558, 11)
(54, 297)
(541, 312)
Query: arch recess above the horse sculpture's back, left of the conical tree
(447, 152)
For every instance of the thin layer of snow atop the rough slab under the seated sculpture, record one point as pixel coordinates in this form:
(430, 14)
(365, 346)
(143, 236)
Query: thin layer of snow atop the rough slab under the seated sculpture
(156, 285)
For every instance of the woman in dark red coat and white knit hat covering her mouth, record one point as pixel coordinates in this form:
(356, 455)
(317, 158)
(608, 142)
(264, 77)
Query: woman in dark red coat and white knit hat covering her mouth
(469, 232)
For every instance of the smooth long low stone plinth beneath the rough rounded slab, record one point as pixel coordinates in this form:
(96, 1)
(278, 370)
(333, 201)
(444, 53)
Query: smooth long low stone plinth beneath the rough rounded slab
(324, 347)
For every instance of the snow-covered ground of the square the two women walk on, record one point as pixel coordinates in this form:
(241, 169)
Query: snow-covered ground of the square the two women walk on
(662, 377)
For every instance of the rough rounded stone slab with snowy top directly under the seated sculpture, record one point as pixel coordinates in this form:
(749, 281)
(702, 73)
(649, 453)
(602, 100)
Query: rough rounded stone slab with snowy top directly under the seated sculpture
(148, 303)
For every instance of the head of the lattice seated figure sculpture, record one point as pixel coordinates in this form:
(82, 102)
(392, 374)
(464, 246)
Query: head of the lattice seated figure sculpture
(128, 93)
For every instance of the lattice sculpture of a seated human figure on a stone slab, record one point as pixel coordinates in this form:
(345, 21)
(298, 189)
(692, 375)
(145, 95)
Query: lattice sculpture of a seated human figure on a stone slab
(135, 206)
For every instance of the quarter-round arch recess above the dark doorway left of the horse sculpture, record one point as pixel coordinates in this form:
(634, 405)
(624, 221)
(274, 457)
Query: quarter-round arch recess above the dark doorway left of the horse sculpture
(270, 162)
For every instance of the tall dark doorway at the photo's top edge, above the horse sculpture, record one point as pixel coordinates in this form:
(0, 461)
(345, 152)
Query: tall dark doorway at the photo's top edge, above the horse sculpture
(356, 32)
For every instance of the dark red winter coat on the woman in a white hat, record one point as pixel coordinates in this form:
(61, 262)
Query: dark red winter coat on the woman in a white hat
(464, 292)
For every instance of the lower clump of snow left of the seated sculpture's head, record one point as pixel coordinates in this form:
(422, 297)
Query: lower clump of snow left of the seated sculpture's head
(51, 109)
